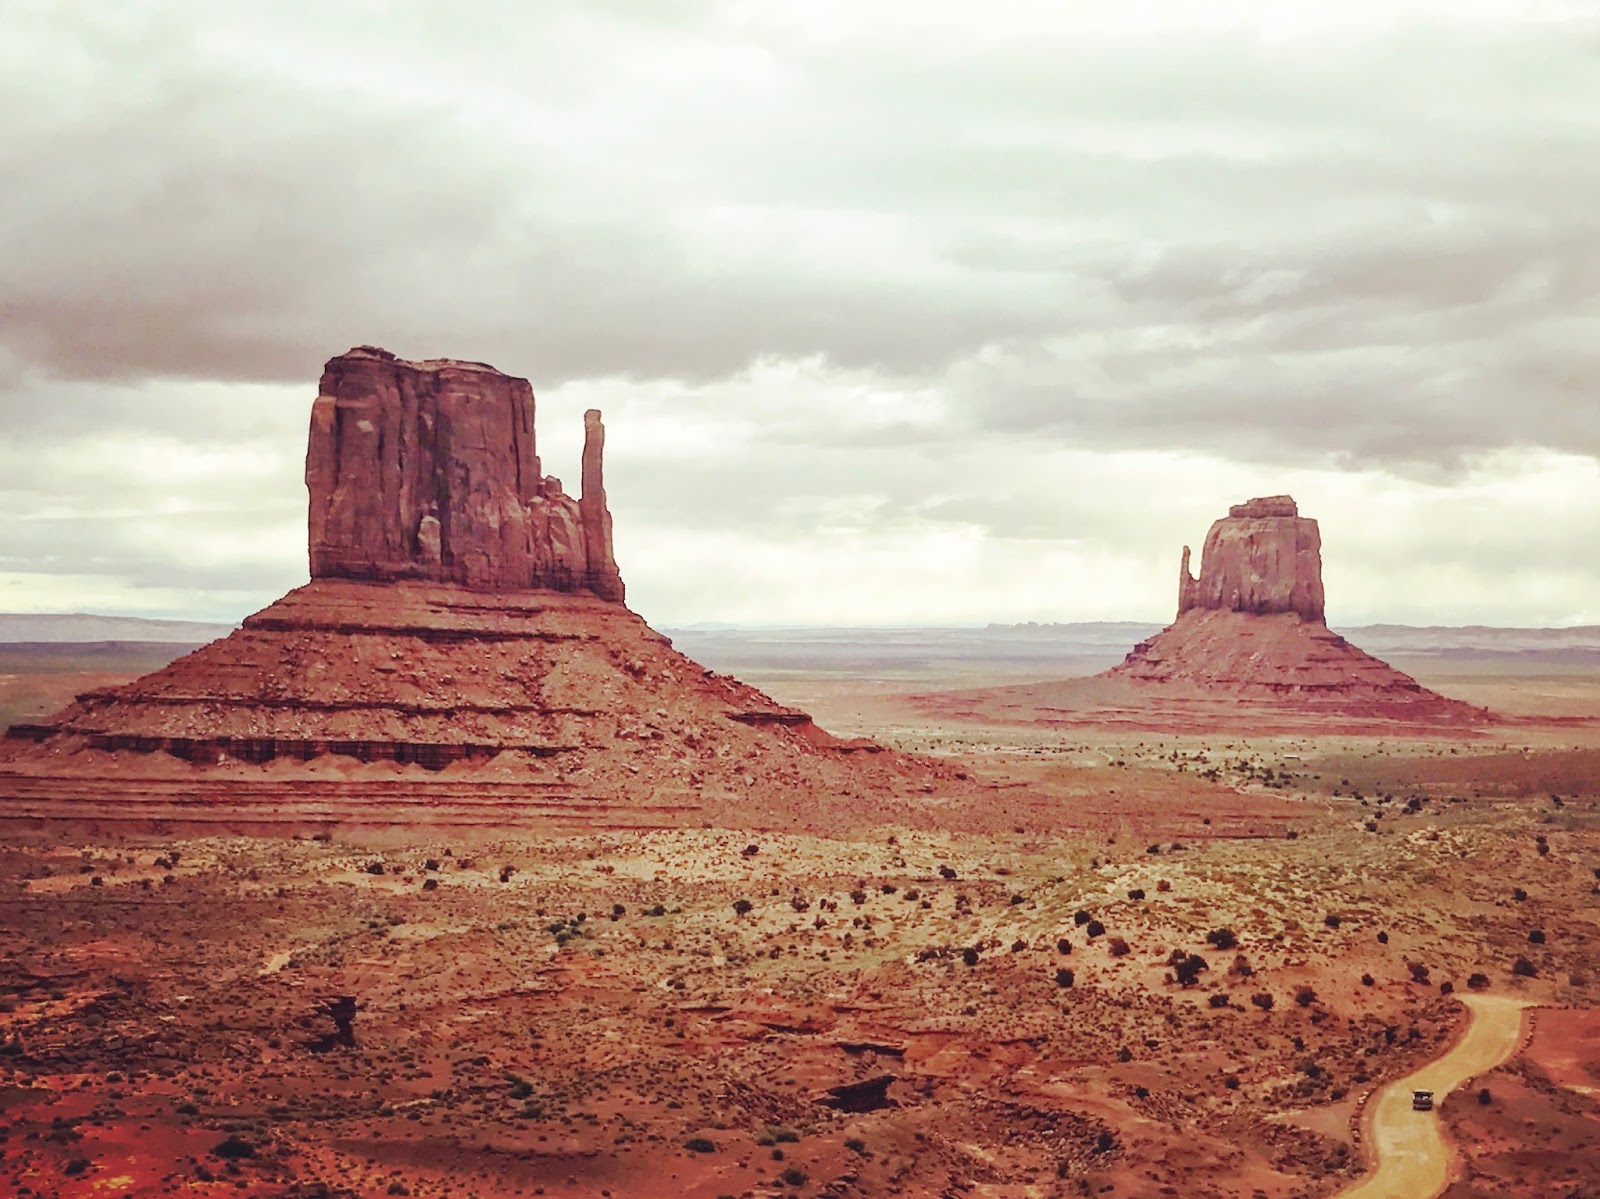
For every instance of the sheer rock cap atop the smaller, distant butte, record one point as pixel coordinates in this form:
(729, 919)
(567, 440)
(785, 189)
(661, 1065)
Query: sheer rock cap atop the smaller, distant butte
(1262, 558)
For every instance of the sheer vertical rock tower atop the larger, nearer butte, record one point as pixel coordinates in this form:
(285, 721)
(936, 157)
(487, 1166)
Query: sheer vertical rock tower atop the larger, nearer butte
(431, 471)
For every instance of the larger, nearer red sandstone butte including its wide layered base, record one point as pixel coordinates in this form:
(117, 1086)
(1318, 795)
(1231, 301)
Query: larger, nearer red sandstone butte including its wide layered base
(462, 656)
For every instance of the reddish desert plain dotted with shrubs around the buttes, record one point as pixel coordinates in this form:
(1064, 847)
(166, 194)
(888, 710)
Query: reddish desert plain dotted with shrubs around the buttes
(1111, 952)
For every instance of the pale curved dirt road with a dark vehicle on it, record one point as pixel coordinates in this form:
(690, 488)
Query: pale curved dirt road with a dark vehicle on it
(1414, 1158)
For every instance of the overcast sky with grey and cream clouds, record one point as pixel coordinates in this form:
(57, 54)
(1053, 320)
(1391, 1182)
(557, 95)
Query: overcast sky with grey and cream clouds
(898, 313)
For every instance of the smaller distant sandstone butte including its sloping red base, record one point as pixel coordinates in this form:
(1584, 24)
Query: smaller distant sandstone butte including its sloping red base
(1252, 627)
